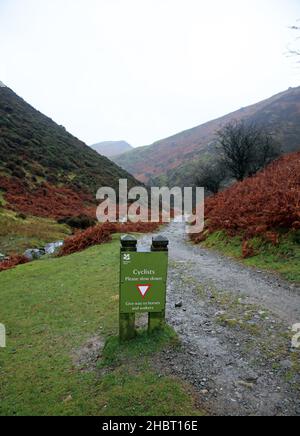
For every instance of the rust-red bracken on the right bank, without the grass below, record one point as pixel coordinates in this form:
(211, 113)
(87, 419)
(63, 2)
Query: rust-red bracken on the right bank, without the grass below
(263, 205)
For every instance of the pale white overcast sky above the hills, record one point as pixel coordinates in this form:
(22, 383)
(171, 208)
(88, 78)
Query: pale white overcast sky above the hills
(141, 70)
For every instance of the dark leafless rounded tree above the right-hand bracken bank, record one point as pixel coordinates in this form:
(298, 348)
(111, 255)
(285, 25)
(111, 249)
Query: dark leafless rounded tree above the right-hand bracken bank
(245, 148)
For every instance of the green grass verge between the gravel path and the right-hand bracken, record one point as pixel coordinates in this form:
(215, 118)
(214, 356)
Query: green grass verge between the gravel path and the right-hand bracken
(283, 258)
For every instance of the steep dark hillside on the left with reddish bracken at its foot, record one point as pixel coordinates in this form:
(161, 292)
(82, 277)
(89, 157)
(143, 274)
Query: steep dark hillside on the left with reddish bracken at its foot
(44, 170)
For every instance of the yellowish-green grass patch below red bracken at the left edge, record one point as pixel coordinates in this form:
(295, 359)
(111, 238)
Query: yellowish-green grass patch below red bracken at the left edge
(16, 234)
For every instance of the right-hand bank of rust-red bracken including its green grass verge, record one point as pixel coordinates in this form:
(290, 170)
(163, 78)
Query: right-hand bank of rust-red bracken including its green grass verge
(259, 218)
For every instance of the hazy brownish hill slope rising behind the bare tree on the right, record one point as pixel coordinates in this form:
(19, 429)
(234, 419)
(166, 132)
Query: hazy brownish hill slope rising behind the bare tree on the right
(174, 161)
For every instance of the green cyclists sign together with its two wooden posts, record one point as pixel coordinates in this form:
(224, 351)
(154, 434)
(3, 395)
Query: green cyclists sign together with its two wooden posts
(143, 284)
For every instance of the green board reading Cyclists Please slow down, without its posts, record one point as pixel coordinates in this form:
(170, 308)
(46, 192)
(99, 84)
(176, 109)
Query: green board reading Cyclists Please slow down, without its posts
(143, 282)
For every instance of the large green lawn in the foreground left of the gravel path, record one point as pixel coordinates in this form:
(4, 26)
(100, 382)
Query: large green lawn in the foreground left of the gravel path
(51, 308)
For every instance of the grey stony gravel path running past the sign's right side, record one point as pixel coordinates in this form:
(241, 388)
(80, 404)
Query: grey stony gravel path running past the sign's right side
(235, 326)
